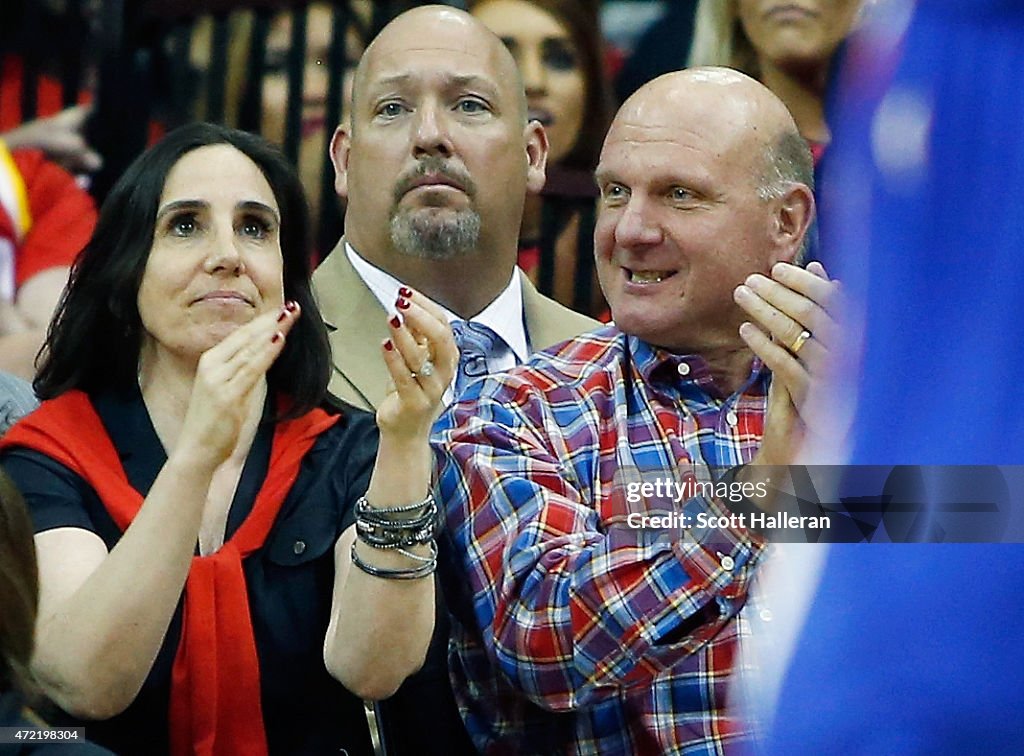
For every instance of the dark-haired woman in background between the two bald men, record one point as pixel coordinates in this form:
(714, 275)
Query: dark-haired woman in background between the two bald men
(558, 46)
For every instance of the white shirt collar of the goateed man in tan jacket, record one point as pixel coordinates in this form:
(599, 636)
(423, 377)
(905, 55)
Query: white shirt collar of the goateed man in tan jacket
(504, 316)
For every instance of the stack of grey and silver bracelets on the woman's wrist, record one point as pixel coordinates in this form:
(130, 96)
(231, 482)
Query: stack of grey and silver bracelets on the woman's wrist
(378, 528)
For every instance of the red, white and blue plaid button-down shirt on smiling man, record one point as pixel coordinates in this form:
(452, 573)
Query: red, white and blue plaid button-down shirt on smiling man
(573, 632)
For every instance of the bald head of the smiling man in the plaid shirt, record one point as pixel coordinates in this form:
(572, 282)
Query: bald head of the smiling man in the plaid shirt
(686, 217)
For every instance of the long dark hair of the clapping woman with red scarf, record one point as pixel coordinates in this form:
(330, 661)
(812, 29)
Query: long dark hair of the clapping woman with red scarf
(96, 337)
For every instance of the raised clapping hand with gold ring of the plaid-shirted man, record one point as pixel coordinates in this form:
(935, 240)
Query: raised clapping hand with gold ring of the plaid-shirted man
(794, 329)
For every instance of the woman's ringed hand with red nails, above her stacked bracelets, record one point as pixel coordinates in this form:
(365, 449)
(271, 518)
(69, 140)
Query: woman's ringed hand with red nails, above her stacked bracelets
(421, 358)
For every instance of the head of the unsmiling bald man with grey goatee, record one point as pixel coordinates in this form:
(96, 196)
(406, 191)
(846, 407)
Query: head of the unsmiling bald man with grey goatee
(438, 159)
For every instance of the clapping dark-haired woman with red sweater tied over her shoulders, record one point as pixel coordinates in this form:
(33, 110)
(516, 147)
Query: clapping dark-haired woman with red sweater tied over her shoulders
(199, 508)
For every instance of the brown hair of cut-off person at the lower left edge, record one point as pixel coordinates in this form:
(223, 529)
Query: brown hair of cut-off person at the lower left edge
(19, 591)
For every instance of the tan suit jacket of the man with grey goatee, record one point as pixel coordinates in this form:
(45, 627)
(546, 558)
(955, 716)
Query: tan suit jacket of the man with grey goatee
(359, 328)
